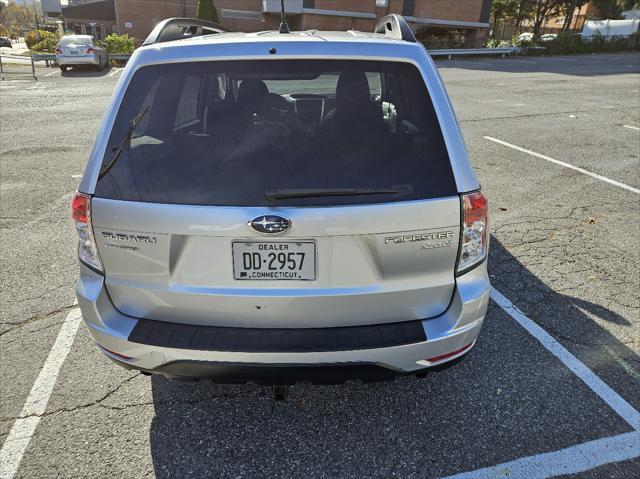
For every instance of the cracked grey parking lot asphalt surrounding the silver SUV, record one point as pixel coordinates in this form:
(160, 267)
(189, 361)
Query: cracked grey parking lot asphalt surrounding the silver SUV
(564, 251)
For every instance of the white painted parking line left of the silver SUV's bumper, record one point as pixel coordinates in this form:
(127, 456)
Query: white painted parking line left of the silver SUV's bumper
(25, 425)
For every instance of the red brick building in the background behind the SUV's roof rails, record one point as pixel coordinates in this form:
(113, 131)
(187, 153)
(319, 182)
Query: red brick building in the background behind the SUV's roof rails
(466, 20)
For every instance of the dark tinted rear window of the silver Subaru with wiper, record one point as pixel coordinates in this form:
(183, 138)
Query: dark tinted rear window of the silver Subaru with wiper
(239, 133)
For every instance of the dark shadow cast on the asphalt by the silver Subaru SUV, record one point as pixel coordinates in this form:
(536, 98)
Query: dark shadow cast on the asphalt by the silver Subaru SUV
(501, 403)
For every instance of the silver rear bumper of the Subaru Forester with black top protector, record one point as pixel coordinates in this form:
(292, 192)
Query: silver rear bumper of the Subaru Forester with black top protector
(449, 336)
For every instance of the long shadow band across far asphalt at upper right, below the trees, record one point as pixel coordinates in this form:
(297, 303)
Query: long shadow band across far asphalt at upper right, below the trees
(573, 65)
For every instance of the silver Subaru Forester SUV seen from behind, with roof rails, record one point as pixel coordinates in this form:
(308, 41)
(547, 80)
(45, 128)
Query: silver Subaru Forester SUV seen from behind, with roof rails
(279, 207)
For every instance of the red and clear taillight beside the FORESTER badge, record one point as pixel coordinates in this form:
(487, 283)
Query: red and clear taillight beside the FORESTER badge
(474, 241)
